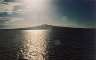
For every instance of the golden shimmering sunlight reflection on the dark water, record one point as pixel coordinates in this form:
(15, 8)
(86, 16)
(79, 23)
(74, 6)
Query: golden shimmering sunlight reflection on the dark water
(35, 44)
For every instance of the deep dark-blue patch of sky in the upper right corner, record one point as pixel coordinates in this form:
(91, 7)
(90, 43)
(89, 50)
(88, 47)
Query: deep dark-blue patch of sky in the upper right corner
(77, 10)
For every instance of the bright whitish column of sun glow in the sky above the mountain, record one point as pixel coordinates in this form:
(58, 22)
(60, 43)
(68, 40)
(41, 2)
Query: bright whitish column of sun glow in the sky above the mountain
(38, 11)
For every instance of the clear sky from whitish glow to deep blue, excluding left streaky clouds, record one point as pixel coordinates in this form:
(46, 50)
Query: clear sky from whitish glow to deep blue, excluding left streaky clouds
(67, 13)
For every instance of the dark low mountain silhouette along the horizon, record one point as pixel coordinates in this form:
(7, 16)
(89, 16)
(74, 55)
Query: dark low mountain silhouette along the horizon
(46, 26)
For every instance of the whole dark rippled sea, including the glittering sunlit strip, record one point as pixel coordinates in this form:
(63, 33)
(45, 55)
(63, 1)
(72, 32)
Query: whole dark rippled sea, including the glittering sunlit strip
(48, 44)
